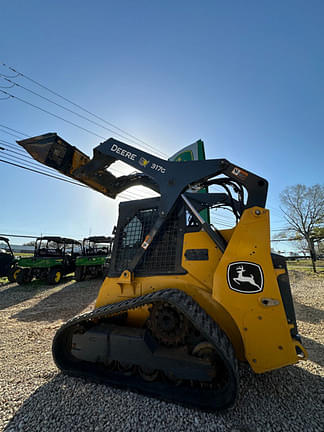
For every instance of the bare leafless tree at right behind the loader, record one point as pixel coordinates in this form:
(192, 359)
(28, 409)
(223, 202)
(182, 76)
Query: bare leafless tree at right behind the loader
(304, 211)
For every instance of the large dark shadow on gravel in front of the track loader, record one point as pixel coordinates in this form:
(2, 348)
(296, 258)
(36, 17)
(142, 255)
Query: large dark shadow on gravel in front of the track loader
(62, 394)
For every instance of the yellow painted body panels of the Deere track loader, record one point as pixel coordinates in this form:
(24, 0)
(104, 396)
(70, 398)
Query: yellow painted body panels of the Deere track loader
(256, 323)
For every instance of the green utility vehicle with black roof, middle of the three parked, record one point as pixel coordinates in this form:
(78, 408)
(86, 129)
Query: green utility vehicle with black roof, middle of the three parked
(53, 258)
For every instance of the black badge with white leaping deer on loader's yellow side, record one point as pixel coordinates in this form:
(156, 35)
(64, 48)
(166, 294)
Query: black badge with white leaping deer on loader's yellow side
(245, 277)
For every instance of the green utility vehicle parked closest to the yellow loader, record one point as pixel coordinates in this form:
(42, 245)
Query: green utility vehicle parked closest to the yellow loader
(95, 258)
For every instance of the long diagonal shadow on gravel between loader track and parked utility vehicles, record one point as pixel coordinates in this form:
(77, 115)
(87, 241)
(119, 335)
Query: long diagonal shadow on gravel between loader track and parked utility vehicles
(62, 304)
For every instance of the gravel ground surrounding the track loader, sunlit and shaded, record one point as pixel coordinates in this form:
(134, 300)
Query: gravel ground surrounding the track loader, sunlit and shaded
(35, 397)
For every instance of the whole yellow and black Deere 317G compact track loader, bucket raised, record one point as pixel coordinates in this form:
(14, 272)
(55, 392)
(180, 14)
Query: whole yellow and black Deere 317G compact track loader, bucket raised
(183, 301)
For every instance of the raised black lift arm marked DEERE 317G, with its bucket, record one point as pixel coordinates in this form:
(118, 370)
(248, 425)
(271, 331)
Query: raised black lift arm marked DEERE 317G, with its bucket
(168, 178)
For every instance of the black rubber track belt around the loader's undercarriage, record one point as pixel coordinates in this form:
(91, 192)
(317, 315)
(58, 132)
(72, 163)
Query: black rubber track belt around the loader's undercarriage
(207, 399)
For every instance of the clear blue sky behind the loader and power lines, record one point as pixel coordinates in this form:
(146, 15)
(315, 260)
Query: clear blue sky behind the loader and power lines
(244, 76)
